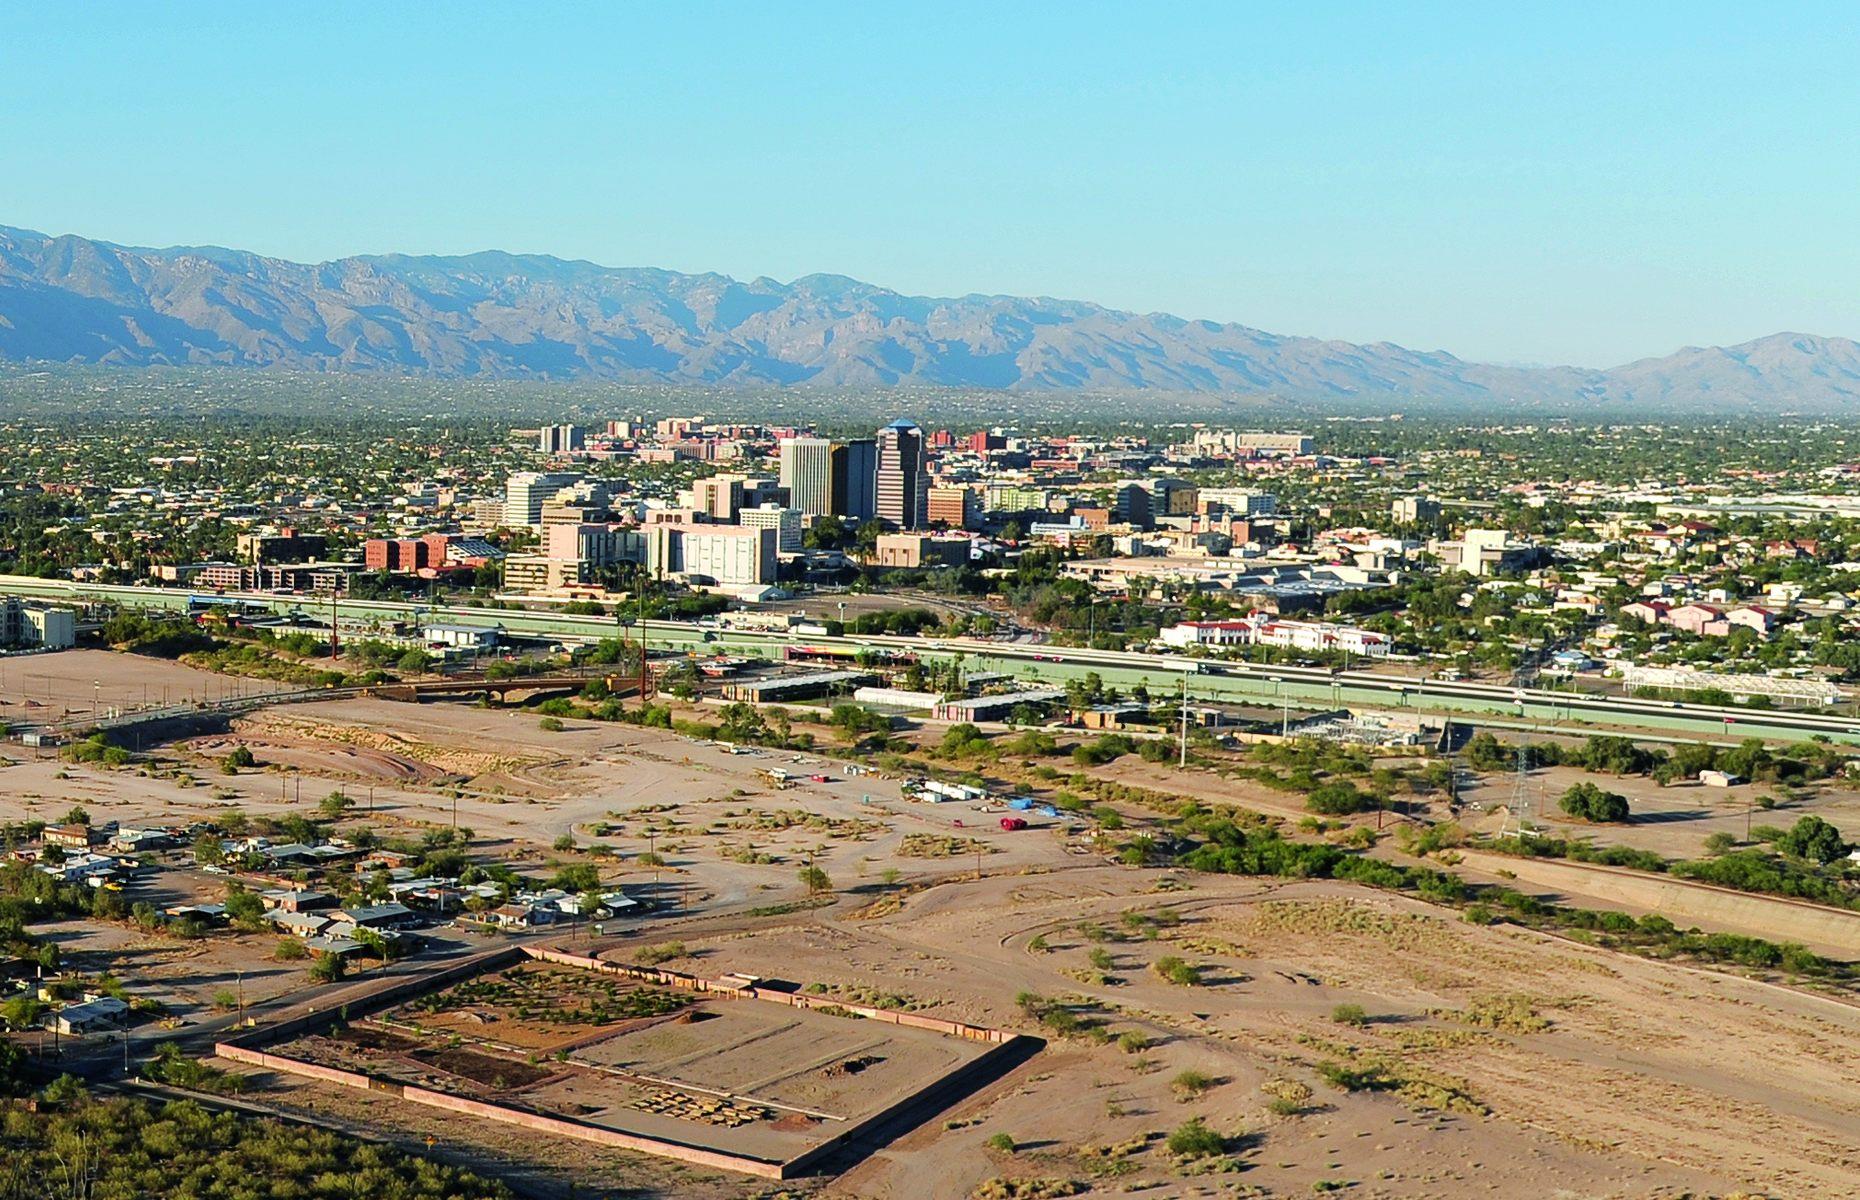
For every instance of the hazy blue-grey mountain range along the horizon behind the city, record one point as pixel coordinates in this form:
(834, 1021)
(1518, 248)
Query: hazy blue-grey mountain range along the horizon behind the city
(535, 317)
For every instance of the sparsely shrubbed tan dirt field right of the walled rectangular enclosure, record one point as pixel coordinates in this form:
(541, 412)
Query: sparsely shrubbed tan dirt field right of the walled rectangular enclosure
(1472, 1113)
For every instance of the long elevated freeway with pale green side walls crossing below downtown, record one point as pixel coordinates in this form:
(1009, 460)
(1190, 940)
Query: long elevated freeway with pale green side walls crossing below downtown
(1294, 687)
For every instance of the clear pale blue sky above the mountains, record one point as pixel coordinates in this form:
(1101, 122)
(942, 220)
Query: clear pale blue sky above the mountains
(1515, 183)
